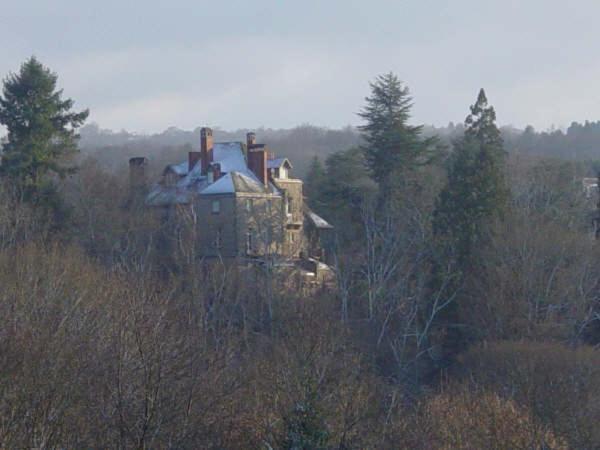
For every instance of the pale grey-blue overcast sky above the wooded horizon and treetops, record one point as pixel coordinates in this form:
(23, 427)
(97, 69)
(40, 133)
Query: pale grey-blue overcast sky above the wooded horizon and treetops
(147, 65)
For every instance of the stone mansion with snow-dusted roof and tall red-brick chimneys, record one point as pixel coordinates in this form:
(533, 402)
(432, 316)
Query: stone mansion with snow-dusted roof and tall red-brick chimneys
(244, 202)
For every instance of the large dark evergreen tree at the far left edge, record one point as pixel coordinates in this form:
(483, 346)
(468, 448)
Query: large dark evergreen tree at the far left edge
(41, 131)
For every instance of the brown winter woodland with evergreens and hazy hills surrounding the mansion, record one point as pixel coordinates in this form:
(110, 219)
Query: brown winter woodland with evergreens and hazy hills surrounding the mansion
(465, 314)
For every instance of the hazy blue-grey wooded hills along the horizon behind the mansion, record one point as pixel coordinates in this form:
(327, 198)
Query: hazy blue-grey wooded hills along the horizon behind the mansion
(113, 149)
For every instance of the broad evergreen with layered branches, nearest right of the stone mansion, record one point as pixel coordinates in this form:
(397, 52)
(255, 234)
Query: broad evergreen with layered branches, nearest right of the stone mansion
(393, 147)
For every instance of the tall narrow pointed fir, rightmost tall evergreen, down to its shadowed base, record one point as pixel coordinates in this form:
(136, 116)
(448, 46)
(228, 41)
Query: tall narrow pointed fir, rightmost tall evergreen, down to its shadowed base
(474, 197)
